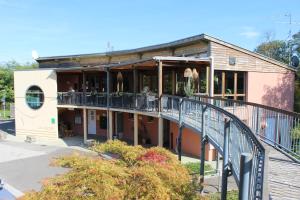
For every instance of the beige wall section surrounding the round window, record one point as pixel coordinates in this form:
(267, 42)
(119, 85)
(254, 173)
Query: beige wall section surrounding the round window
(31, 122)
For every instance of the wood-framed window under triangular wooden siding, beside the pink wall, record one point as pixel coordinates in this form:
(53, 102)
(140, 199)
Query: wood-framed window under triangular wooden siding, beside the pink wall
(230, 85)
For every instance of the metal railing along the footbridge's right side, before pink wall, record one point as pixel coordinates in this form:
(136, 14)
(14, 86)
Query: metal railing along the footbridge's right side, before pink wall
(276, 127)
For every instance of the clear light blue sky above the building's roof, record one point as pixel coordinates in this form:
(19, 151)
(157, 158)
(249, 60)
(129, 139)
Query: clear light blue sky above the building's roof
(64, 27)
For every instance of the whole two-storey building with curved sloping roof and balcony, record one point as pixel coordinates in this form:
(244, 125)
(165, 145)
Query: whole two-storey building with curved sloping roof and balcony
(119, 93)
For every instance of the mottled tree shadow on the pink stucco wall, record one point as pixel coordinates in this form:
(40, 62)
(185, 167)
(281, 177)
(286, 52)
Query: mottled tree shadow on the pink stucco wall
(282, 95)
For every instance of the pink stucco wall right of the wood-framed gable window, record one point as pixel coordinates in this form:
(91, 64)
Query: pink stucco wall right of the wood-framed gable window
(271, 89)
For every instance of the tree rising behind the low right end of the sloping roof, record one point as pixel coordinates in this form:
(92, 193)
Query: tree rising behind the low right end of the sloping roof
(276, 49)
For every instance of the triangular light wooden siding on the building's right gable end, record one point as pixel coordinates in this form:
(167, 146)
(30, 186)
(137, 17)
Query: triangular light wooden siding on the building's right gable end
(244, 62)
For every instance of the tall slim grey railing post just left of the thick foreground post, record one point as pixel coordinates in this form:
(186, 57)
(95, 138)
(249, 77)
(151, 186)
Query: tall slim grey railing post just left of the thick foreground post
(225, 171)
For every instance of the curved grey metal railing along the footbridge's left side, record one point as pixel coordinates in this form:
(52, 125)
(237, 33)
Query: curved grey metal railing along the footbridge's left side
(212, 121)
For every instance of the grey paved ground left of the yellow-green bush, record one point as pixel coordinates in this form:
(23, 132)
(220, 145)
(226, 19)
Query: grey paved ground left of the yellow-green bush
(24, 166)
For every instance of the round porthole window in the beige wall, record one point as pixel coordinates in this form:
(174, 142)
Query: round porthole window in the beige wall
(34, 97)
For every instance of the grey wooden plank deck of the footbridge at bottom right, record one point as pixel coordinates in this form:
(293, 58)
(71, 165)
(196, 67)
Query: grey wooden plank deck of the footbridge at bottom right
(284, 176)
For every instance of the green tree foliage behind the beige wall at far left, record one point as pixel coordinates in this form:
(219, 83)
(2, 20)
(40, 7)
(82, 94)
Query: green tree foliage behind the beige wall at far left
(6, 78)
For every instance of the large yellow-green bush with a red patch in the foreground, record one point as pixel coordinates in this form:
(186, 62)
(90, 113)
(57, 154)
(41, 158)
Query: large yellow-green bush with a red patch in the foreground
(138, 174)
